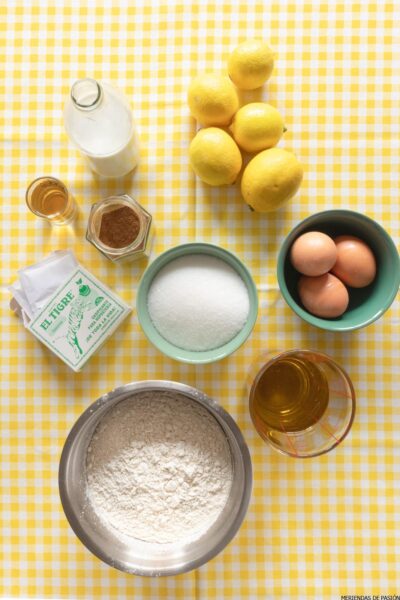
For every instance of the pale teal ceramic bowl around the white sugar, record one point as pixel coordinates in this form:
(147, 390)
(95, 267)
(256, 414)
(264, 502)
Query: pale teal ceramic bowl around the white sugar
(170, 349)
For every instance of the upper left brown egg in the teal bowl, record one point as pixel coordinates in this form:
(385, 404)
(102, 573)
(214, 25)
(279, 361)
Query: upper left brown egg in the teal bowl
(313, 253)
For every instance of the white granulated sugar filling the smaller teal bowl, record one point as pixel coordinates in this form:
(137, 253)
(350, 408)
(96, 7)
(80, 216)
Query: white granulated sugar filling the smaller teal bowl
(198, 302)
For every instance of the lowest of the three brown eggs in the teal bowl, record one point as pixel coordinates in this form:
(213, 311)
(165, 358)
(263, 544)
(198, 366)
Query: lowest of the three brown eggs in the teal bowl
(324, 296)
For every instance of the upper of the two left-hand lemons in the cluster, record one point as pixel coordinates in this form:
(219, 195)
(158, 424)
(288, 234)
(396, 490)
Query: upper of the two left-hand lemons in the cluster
(213, 99)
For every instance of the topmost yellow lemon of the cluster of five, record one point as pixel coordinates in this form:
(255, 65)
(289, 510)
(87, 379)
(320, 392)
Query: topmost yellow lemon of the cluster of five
(250, 64)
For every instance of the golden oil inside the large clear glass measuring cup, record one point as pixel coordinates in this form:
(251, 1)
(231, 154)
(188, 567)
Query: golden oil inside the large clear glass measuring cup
(291, 395)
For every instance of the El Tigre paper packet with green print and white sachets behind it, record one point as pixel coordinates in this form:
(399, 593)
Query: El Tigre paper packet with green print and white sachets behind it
(66, 307)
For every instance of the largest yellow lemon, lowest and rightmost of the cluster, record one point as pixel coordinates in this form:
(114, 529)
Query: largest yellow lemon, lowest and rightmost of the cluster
(270, 179)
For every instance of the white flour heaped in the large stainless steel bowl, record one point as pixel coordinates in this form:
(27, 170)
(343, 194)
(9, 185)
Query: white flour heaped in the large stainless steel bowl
(158, 468)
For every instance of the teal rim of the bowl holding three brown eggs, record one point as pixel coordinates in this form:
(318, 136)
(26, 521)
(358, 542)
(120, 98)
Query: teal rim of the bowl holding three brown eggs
(319, 321)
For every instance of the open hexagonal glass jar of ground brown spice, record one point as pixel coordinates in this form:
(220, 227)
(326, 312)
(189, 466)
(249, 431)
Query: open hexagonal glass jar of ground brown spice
(120, 228)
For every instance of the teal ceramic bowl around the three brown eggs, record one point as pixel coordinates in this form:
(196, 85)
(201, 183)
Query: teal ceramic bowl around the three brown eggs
(367, 304)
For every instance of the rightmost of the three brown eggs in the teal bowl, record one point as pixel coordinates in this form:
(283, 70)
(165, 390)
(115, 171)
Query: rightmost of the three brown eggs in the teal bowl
(355, 264)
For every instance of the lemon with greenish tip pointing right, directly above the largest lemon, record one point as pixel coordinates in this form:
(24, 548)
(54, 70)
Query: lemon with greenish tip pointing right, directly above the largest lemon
(257, 126)
